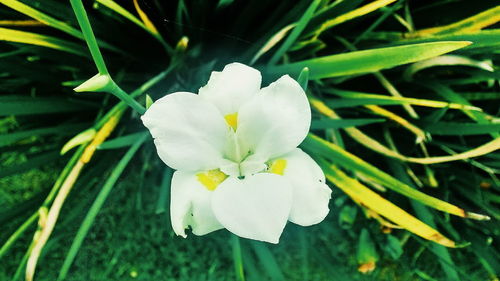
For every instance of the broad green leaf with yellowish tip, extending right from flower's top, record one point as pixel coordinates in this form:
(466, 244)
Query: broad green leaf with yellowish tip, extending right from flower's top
(361, 62)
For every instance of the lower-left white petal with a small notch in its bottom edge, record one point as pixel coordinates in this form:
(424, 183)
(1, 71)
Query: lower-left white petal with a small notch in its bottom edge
(190, 205)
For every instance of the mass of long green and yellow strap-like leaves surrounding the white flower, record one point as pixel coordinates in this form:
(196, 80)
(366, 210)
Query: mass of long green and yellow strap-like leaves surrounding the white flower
(401, 83)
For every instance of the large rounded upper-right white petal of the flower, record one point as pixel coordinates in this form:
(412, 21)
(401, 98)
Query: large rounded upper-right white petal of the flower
(276, 120)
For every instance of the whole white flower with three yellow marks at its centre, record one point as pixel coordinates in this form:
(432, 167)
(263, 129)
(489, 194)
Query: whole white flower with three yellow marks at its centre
(234, 146)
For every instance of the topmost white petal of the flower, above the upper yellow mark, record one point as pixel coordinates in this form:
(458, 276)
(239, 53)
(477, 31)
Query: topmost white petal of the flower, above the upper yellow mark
(232, 87)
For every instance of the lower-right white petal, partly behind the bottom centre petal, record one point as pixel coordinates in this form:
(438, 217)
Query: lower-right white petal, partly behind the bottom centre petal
(310, 193)
